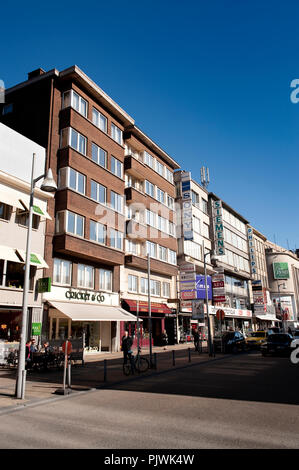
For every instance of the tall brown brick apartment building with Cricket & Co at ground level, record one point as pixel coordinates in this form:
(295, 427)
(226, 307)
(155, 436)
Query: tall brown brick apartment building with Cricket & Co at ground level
(102, 163)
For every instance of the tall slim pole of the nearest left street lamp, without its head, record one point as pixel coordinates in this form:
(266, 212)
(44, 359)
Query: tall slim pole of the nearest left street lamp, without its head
(21, 359)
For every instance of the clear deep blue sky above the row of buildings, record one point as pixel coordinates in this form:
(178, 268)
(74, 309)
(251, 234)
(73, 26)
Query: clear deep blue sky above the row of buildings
(208, 81)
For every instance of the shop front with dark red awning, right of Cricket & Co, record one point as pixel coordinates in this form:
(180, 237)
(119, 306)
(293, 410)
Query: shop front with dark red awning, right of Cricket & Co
(162, 318)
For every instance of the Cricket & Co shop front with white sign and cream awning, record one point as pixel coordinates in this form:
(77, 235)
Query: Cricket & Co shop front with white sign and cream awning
(73, 313)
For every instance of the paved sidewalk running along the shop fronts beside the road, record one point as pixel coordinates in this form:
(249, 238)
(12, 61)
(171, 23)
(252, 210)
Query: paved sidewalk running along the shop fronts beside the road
(41, 385)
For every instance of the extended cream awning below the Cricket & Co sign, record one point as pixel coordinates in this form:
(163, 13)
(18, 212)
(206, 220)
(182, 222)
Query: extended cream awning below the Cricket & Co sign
(87, 312)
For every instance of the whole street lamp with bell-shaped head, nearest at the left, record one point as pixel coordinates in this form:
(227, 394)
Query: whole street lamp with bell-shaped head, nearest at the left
(48, 185)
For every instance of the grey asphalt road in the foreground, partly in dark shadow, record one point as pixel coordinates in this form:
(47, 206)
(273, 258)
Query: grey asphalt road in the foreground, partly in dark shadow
(245, 401)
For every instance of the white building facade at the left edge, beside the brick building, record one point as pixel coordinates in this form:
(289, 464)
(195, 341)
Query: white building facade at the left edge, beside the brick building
(15, 190)
